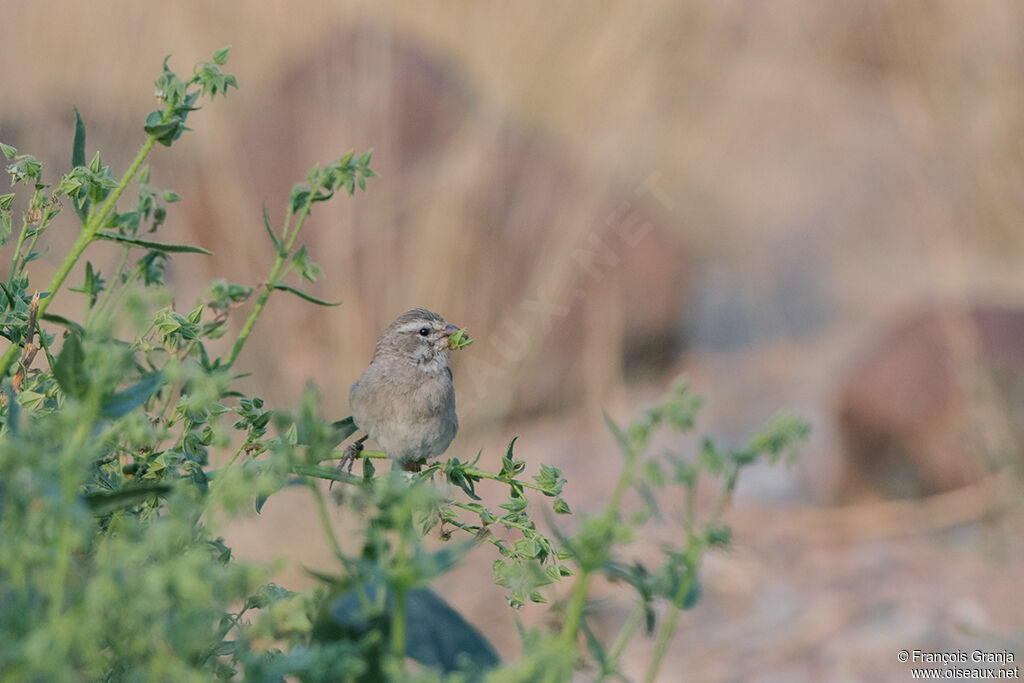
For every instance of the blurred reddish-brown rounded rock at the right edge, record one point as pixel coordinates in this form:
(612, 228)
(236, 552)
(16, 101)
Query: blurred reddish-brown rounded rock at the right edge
(934, 403)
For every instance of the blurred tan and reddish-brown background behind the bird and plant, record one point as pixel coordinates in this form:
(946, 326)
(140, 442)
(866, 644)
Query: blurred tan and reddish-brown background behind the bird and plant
(800, 206)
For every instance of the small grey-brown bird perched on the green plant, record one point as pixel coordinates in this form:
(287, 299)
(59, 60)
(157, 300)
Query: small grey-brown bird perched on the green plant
(405, 399)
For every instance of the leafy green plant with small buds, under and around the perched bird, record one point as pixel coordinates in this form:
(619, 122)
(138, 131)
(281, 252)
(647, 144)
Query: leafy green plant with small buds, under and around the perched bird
(110, 564)
